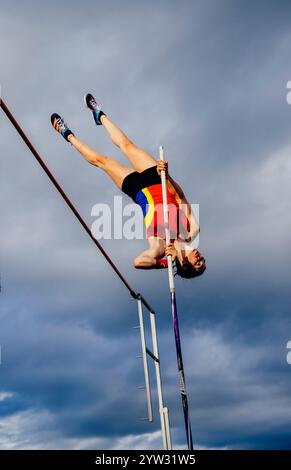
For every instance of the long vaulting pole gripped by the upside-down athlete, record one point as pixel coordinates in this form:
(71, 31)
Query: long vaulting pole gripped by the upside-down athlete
(175, 313)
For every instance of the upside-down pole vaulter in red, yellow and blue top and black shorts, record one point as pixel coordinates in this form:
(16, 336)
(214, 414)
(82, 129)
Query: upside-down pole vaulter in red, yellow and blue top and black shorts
(142, 182)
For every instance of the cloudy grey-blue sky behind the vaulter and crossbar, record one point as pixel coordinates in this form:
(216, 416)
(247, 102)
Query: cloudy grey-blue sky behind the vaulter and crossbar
(208, 80)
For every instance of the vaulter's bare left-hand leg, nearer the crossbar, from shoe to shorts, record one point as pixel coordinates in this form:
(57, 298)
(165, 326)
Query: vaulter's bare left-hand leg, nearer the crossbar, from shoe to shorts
(114, 169)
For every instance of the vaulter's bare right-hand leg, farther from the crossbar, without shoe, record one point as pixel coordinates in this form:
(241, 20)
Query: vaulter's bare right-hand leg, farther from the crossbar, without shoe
(139, 158)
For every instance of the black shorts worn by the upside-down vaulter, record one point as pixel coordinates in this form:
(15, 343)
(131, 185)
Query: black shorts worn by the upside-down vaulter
(136, 181)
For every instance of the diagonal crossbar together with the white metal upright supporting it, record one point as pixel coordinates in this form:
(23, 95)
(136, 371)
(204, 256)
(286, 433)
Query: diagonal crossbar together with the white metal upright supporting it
(164, 417)
